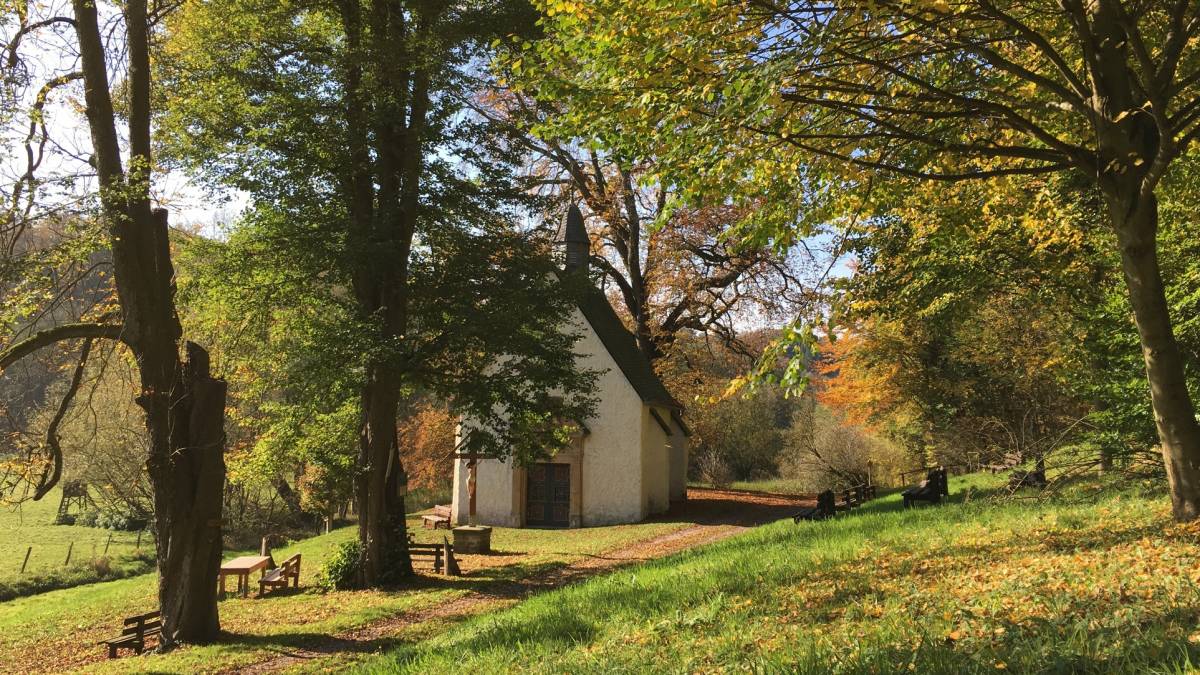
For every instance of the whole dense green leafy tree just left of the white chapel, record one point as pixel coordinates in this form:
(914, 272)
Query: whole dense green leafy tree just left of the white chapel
(371, 183)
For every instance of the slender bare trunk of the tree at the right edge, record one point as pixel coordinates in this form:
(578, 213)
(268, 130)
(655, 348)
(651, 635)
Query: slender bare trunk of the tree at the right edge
(1137, 224)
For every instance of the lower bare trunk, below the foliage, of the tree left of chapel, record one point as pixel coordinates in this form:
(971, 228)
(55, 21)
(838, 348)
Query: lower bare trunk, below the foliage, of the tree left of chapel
(380, 483)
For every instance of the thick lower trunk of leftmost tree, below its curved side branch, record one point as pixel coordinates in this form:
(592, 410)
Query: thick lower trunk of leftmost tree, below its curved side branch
(188, 474)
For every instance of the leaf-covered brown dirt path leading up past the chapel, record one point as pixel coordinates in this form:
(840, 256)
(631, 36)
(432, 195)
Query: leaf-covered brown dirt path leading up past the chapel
(717, 515)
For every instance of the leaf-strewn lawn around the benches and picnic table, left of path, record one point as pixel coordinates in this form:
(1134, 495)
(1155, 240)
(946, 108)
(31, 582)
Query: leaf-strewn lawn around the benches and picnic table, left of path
(58, 631)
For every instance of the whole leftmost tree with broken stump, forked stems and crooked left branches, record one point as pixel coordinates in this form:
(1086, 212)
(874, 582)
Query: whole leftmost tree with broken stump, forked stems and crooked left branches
(184, 404)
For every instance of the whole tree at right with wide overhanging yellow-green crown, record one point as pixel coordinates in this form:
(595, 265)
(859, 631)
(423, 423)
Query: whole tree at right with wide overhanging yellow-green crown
(797, 97)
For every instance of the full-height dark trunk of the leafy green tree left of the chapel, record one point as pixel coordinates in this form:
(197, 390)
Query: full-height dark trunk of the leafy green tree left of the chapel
(387, 104)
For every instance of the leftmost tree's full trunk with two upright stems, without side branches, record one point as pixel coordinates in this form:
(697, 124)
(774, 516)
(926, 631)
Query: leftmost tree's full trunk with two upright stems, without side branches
(184, 404)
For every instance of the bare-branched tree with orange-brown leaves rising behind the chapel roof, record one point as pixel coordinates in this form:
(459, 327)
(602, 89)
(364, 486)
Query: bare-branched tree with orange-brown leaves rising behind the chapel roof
(673, 267)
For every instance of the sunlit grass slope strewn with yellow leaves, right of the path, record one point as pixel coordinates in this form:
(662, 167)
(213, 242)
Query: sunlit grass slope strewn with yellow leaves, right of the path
(1097, 582)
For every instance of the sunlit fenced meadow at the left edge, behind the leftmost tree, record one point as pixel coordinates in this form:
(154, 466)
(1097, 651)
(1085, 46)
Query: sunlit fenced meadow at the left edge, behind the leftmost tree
(33, 525)
